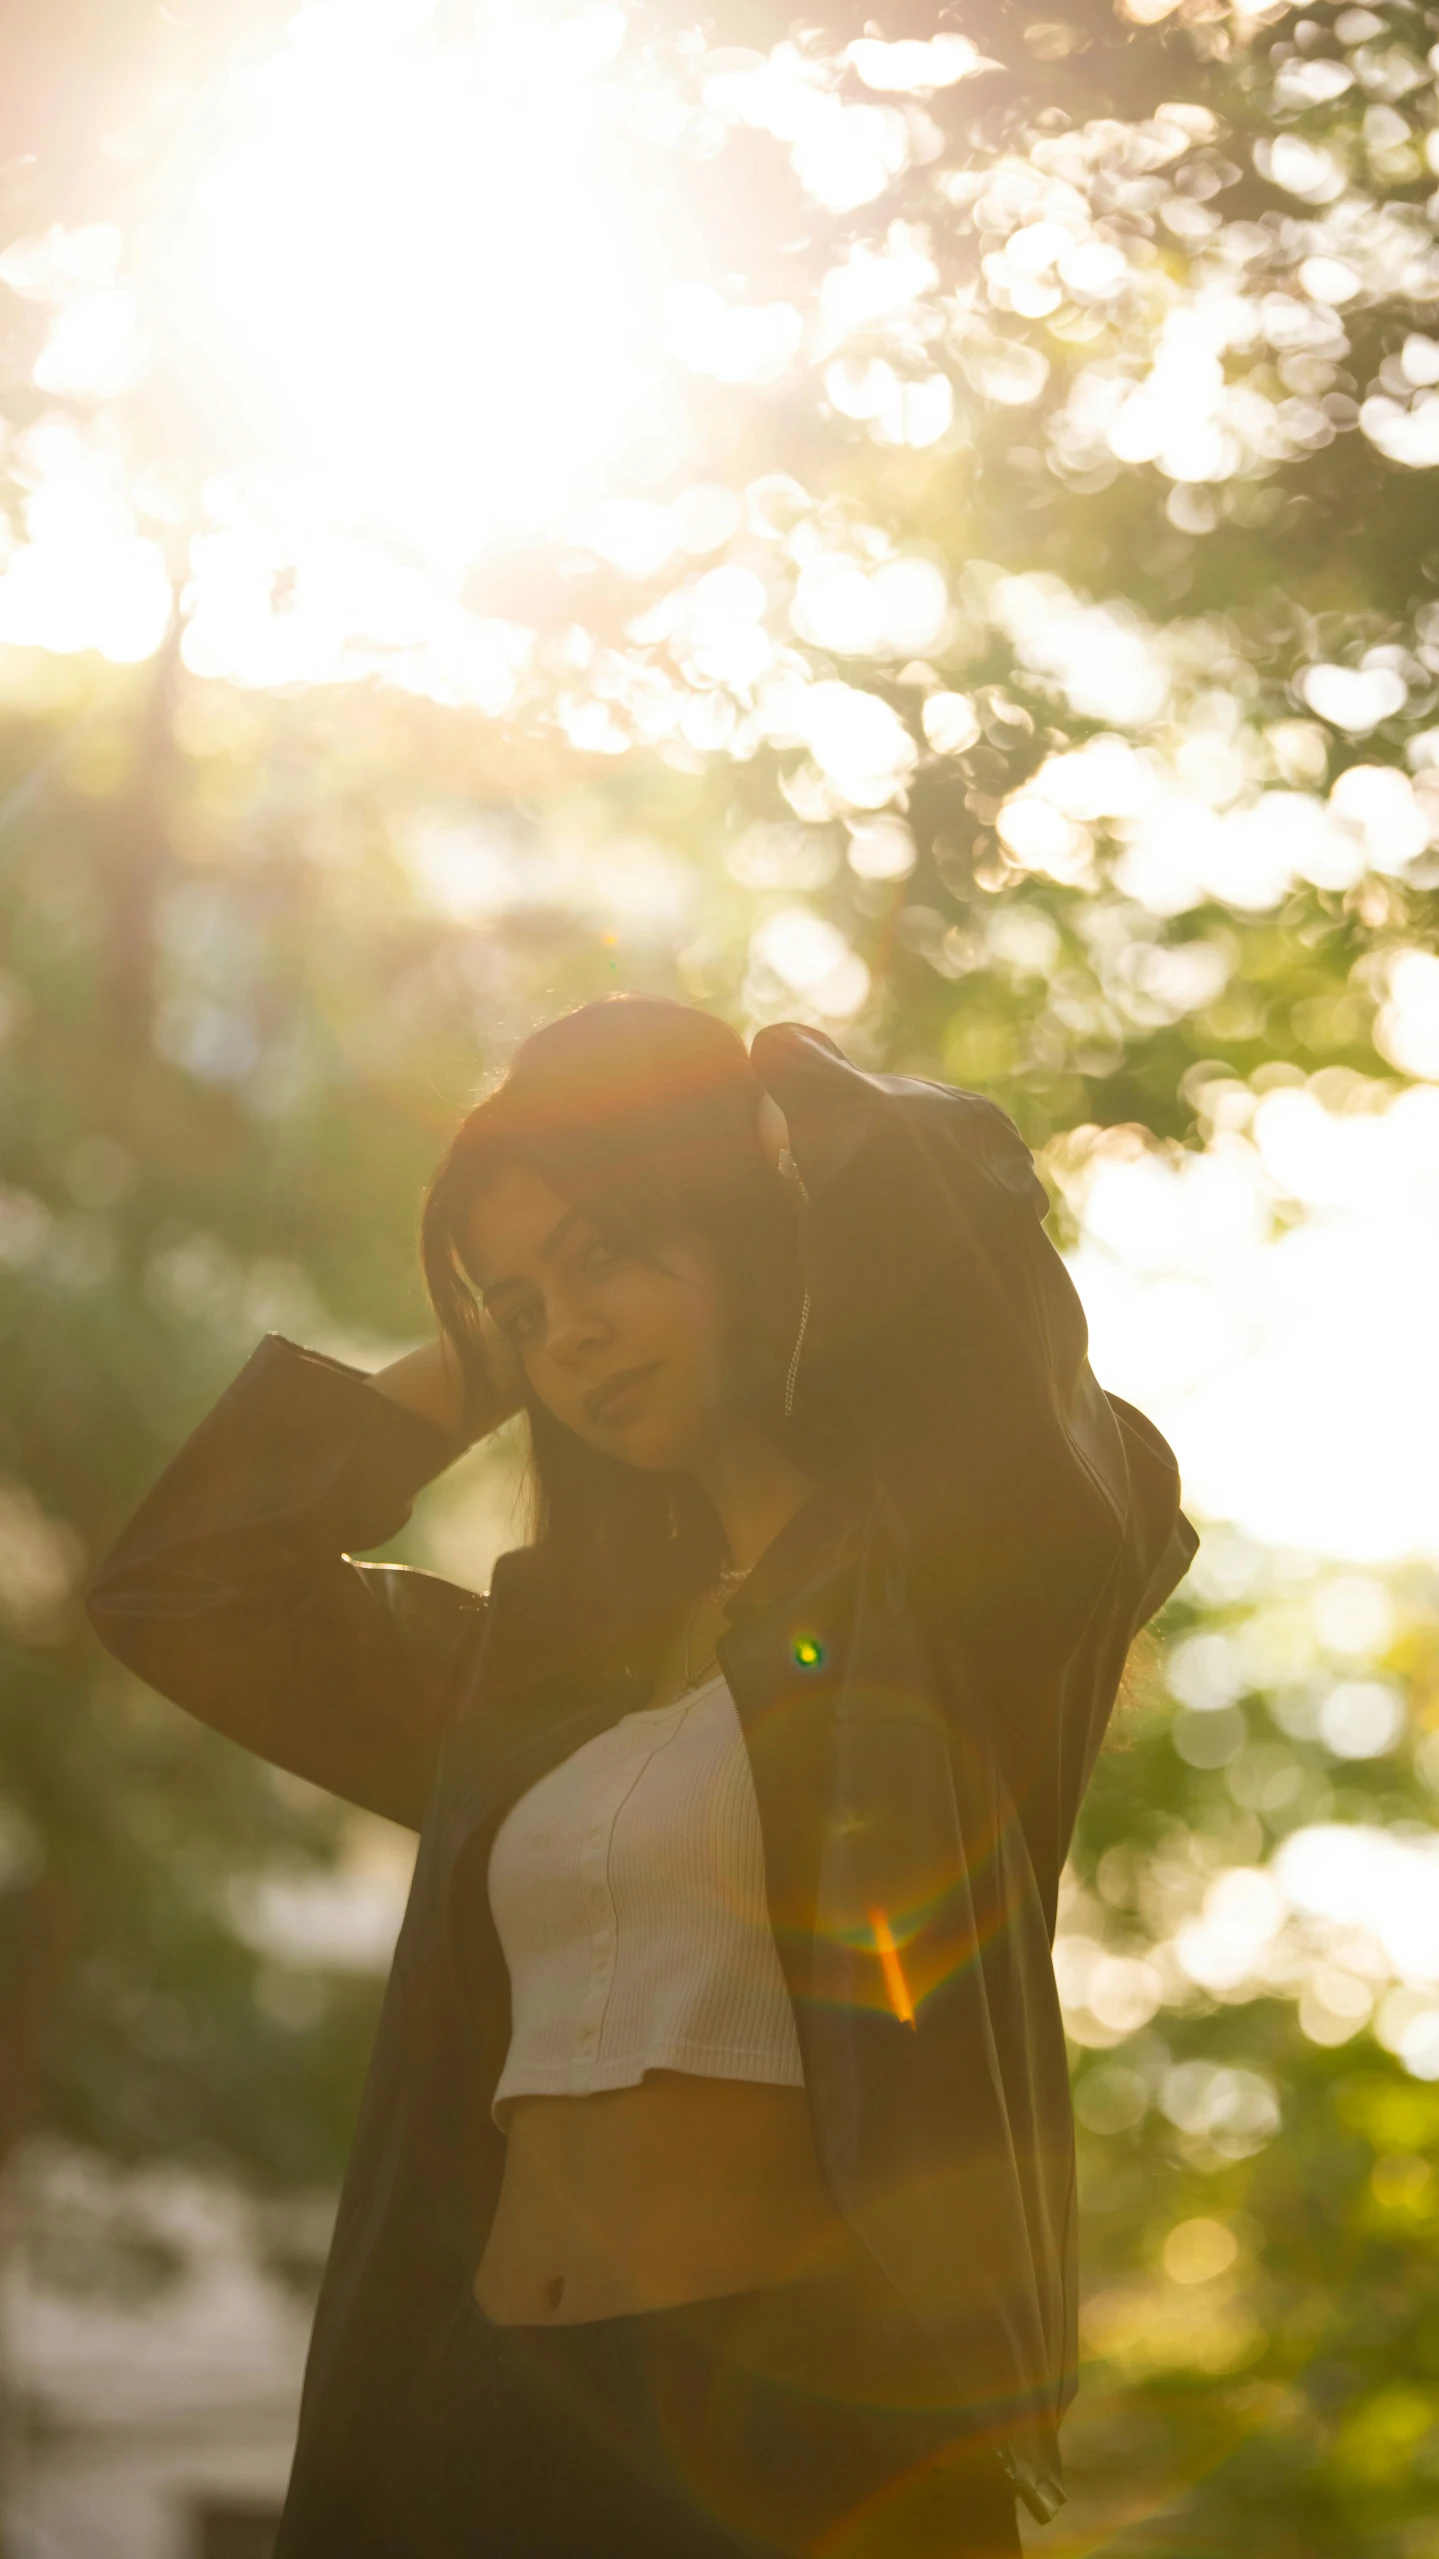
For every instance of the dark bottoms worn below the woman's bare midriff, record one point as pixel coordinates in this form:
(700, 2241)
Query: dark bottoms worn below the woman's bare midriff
(805, 2420)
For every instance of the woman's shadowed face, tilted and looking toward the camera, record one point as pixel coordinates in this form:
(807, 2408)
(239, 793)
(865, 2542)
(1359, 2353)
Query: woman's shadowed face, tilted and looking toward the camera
(585, 1317)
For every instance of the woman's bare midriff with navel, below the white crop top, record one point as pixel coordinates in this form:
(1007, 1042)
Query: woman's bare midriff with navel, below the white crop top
(639, 2199)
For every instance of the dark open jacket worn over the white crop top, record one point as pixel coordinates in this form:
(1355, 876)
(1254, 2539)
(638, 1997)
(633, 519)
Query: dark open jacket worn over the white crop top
(923, 1665)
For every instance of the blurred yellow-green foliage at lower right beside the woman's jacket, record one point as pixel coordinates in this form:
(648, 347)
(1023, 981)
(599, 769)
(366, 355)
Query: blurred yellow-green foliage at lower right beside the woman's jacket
(1258, 2176)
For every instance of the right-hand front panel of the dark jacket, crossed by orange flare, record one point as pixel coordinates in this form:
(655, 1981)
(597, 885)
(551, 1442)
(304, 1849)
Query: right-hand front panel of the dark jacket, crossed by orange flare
(895, 1874)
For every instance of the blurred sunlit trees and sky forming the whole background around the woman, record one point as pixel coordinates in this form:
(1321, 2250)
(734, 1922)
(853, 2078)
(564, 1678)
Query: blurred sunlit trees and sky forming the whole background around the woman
(920, 526)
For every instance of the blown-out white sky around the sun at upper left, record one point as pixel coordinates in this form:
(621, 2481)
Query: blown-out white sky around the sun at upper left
(403, 301)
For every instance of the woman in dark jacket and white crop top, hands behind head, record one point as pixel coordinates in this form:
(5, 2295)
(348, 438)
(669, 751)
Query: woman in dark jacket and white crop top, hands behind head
(713, 2189)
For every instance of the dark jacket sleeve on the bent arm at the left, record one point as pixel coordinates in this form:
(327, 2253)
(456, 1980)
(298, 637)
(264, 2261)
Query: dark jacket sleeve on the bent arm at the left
(232, 1590)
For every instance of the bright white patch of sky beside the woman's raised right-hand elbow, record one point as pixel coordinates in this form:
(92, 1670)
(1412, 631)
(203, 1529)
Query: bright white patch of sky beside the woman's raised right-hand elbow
(1271, 1306)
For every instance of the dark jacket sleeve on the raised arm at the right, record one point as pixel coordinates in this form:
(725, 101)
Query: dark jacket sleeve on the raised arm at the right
(949, 1340)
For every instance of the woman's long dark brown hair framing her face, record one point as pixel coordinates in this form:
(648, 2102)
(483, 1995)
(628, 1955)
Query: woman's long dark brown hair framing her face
(644, 1112)
